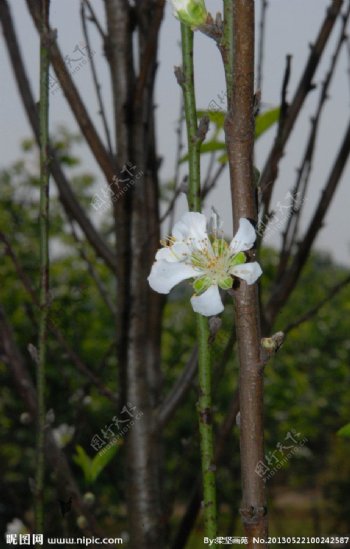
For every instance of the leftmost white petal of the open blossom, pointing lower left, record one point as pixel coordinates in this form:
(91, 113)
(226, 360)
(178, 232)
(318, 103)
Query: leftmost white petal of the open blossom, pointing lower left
(165, 275)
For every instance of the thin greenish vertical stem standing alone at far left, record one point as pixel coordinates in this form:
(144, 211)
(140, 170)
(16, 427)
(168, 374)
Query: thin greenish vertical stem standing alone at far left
(44, 264)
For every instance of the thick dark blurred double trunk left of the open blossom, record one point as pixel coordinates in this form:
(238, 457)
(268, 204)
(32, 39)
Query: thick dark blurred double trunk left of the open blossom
(136, 234)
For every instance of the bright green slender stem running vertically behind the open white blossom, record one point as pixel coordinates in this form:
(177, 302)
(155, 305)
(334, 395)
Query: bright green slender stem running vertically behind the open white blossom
(204, 359)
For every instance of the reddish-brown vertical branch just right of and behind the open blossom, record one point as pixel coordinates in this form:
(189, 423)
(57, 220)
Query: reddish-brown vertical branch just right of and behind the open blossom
(238, 53)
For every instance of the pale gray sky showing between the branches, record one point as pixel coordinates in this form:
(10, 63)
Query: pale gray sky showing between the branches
(291, 26)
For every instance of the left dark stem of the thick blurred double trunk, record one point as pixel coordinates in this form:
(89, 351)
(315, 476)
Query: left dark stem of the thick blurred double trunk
(119, 50)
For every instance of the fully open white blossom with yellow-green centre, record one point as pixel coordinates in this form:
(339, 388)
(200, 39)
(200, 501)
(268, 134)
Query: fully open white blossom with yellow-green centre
(191, 253)
